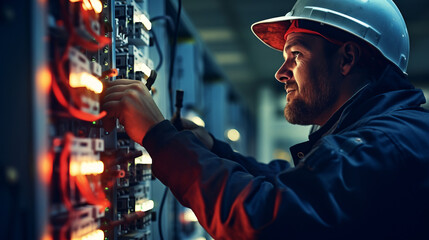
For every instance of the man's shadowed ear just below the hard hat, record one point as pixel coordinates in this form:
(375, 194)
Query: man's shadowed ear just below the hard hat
(350, 53)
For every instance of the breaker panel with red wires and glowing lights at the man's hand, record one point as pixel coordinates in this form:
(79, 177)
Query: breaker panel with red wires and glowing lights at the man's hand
(100, 184)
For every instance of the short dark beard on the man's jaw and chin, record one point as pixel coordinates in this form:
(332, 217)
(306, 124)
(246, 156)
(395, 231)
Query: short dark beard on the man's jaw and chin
(319, 99)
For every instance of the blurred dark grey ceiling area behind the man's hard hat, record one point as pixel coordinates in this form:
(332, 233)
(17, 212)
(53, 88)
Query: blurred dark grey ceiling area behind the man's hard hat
(224, 26)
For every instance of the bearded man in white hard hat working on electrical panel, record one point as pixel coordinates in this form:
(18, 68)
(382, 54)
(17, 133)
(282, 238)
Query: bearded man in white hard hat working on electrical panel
(363, 174)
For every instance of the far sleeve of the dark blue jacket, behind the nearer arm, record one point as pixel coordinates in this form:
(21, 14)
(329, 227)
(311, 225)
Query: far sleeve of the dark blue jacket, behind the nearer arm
(254, 167)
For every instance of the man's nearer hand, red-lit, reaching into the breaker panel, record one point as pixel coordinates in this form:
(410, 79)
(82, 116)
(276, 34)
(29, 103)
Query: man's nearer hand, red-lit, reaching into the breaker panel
(132, 104)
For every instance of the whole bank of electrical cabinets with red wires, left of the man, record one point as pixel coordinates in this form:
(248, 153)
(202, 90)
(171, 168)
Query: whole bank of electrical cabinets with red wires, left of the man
(64, 177)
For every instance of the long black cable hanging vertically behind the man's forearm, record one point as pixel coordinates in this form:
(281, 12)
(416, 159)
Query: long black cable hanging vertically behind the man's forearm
(170, 91)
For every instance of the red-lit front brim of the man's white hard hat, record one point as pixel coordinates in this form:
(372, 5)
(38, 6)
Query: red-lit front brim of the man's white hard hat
(271, 31)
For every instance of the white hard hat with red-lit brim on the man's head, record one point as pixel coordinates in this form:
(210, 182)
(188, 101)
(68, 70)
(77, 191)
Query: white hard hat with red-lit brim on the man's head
(378, 22)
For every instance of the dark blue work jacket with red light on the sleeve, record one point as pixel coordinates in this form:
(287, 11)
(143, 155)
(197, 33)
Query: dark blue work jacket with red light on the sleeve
(363, 175)
